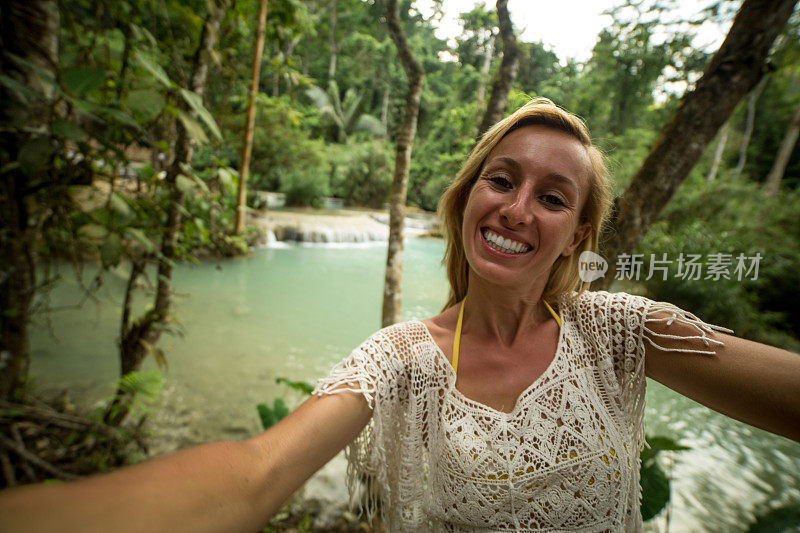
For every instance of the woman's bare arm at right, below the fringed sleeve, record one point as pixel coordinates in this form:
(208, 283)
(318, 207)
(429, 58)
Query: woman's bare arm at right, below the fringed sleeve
(751, 382)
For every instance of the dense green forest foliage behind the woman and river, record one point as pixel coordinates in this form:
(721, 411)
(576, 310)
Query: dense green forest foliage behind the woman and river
(129, 131)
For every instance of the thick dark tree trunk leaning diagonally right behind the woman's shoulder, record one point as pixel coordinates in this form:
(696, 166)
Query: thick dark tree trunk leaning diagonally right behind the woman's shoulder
(733, 71)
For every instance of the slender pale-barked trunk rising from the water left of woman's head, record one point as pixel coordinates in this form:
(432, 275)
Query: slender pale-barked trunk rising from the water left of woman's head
(392, 297)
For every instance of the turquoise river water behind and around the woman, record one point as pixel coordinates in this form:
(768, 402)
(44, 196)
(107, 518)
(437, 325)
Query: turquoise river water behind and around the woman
(296, 310)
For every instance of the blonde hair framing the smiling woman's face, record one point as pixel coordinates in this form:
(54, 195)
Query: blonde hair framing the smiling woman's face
(564, 277)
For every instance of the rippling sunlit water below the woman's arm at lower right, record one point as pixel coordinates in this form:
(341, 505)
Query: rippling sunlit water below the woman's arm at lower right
(732, 471)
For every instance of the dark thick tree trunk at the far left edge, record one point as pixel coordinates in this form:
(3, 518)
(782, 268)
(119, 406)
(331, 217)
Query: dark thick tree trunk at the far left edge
(29, 30)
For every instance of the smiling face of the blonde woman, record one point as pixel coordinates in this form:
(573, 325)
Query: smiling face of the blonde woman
(524, 210)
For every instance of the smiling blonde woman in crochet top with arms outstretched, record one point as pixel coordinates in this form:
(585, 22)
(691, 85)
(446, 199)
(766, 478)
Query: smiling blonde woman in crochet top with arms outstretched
(519, 407)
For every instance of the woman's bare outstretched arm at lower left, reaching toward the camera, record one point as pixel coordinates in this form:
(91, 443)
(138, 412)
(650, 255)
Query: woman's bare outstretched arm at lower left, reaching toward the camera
(223, 486)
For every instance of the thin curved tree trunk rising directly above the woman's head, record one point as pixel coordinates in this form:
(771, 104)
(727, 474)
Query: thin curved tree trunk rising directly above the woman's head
(506, 74)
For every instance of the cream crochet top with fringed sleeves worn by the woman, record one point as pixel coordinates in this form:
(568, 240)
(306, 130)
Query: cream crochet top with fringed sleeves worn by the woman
(565, 459)
